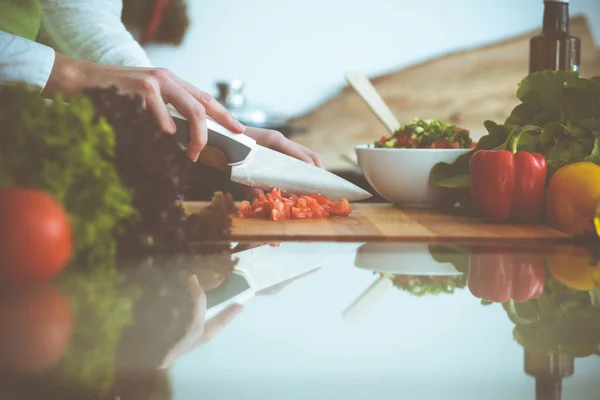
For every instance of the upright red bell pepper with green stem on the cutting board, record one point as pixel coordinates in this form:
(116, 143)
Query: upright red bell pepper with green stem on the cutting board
(509, 185)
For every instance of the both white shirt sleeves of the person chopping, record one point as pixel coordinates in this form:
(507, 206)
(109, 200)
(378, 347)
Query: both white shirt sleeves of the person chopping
(89, 30)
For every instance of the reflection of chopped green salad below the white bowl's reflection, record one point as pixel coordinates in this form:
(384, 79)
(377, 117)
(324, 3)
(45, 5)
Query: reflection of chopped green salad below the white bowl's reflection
(420, 285)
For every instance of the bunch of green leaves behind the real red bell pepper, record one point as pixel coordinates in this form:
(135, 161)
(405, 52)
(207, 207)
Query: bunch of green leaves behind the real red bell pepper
(561, 114)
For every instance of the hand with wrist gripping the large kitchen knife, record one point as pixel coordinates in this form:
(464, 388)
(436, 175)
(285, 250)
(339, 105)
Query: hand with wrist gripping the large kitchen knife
(156, 87)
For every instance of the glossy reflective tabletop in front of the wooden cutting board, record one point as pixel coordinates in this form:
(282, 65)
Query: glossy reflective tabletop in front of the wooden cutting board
(312, 320)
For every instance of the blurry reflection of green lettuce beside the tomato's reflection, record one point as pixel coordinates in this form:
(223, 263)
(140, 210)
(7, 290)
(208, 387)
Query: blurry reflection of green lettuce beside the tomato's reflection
(102, 309)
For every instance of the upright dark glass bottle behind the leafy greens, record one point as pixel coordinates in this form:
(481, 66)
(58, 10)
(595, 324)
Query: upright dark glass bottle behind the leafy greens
(555, 48)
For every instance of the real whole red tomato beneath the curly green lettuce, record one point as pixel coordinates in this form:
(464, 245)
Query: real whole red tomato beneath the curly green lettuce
(35, 235)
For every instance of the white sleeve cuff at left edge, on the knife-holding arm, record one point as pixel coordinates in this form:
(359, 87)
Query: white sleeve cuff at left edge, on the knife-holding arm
(22, 60)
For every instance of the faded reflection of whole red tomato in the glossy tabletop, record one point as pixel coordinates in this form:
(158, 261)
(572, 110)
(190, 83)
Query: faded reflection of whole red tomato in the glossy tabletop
(36, 323)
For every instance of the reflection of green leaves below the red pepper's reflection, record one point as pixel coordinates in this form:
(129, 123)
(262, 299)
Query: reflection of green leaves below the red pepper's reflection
(561, 320)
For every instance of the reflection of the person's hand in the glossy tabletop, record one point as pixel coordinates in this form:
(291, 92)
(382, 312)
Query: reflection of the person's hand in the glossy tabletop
(199, 331)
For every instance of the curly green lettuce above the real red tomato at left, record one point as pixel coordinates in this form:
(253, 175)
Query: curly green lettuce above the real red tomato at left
(57, 147)
